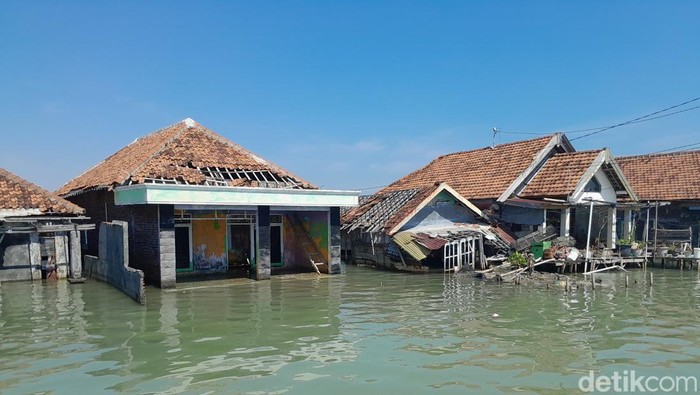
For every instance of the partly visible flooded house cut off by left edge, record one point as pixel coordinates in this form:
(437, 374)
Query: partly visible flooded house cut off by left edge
(40, 233)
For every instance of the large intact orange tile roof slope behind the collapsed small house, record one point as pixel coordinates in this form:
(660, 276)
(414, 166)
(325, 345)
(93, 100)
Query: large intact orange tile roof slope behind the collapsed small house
(478, 174)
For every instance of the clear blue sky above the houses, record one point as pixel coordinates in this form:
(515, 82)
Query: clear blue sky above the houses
(350, 94)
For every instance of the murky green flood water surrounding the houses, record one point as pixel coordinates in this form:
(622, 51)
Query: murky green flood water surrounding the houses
(365, 332)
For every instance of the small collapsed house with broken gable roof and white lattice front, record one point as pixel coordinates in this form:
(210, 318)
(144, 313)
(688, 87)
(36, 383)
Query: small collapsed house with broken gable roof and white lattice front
(420, 229)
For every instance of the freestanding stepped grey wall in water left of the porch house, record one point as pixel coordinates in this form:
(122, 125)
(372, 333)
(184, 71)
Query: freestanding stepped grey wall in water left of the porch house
(112, 266)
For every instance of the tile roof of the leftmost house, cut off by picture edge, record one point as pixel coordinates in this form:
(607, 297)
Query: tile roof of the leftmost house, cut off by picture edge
(18, 193)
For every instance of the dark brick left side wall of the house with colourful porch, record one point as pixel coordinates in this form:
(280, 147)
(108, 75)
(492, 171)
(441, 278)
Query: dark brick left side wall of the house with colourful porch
(144, 237)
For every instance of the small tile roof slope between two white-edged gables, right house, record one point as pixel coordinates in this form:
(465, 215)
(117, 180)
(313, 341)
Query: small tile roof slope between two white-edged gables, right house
(560, 174)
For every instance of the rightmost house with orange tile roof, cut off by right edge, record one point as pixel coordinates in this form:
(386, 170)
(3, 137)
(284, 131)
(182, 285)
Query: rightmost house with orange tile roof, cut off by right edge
(669, 183)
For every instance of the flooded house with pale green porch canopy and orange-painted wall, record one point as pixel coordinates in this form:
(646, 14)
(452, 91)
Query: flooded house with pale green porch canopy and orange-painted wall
(197, 203)
